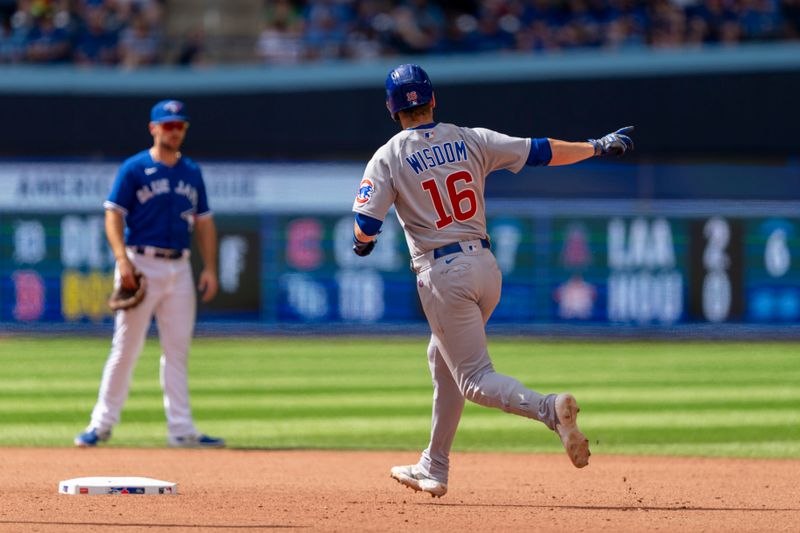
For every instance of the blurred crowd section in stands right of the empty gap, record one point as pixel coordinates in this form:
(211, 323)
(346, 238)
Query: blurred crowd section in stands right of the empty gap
(298, 30)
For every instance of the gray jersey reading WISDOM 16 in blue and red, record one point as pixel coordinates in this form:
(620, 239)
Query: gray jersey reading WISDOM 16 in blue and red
(435, 177)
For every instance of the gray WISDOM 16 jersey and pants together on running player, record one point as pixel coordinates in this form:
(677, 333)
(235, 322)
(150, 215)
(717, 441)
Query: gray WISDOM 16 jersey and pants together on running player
(435, 176)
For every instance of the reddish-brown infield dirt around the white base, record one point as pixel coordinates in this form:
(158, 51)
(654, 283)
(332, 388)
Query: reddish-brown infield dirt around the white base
(261, 490)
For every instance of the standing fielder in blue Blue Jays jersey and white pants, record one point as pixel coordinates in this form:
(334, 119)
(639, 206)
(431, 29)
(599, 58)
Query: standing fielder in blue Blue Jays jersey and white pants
(160, 195)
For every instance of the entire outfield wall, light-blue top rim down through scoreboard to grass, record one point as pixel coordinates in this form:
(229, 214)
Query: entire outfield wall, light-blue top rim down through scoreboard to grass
(644, 246)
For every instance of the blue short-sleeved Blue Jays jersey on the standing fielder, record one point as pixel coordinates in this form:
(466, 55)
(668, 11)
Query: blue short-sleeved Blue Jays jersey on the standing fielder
(159, 202)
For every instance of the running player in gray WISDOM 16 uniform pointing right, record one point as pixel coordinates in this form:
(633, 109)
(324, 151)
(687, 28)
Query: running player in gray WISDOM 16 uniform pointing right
(434, 174)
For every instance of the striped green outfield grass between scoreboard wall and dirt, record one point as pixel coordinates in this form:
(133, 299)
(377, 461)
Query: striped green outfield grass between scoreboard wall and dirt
(680, 398)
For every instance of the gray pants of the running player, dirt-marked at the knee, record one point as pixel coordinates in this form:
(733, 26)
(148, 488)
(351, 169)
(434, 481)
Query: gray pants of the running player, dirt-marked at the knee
(458, 298)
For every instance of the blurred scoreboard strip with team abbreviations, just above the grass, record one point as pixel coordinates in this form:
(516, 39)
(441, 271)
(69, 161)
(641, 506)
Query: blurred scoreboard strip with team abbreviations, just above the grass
(658, 265)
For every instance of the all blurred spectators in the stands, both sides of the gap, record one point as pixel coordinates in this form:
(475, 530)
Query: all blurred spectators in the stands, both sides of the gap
(130, 33)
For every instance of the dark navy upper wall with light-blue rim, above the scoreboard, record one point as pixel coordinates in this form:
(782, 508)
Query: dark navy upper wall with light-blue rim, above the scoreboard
(699, 103)
